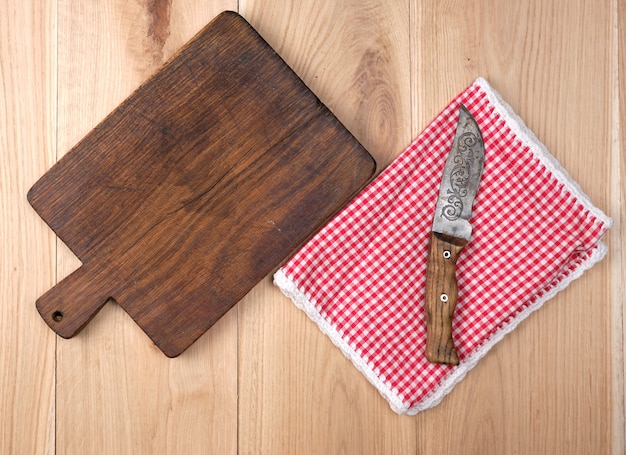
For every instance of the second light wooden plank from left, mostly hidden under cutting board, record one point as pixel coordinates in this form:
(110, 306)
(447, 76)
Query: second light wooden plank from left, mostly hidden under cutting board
(116, 392)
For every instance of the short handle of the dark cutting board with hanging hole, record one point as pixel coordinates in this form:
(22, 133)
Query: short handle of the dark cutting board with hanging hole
(74, 301)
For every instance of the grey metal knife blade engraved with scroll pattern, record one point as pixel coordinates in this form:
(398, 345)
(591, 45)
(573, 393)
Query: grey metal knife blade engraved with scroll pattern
(461, 177)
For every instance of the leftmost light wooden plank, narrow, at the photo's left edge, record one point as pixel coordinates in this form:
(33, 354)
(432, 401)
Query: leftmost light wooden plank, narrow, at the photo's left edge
(27, 148)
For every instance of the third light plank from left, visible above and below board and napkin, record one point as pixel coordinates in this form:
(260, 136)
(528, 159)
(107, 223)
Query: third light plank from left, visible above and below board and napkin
(297, 392)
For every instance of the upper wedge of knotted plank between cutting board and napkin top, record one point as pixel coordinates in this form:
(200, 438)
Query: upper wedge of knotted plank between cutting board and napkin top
(354, 56)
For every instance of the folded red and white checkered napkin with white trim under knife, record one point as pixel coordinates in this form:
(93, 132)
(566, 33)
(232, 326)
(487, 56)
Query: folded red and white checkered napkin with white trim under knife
(362, 277)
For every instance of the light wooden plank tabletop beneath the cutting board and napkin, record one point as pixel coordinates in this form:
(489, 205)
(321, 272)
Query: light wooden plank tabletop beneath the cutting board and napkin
(264, 379)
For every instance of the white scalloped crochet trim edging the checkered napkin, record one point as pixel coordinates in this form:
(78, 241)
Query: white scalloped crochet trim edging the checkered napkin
(397, 403)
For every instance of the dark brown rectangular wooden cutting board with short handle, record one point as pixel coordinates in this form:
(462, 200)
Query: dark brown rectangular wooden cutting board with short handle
(201, 183)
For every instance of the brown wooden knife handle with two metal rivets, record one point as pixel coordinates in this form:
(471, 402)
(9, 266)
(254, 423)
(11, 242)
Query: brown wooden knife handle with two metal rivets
(441, 297)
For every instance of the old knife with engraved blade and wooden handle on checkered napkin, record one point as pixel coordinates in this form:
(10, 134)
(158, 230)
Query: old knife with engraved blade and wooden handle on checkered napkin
(451, 231)
